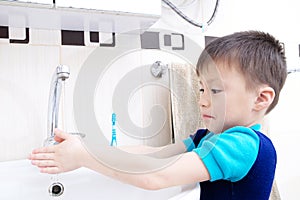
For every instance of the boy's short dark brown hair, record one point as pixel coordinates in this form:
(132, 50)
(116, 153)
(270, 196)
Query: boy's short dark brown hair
(257, 55)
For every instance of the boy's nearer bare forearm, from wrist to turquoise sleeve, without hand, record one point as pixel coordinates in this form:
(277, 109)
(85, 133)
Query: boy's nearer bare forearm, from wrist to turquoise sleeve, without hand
(186, 169)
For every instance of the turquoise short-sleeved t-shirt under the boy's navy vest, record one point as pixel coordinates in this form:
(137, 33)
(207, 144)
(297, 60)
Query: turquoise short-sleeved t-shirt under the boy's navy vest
(228, 155)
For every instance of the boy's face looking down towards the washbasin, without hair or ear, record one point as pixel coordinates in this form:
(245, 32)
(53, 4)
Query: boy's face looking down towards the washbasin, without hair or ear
(224, 101)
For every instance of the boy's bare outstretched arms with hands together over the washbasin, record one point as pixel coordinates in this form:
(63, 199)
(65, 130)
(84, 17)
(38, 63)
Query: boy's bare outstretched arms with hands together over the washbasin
(70, 154)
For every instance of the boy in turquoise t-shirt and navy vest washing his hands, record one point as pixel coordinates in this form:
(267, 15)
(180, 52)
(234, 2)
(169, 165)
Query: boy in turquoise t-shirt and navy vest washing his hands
(241, 76)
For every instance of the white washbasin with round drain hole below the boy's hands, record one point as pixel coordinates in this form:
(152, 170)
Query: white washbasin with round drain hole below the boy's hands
(19, 180)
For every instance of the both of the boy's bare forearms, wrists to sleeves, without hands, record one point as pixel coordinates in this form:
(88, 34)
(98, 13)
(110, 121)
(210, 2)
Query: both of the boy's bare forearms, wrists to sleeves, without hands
(165, 175)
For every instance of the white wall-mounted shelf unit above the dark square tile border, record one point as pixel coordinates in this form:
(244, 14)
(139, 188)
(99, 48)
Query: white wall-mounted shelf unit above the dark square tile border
(50, 16)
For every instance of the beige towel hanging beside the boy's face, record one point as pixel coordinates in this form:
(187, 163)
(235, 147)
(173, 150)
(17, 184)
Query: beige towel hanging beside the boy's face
(184, 100)
